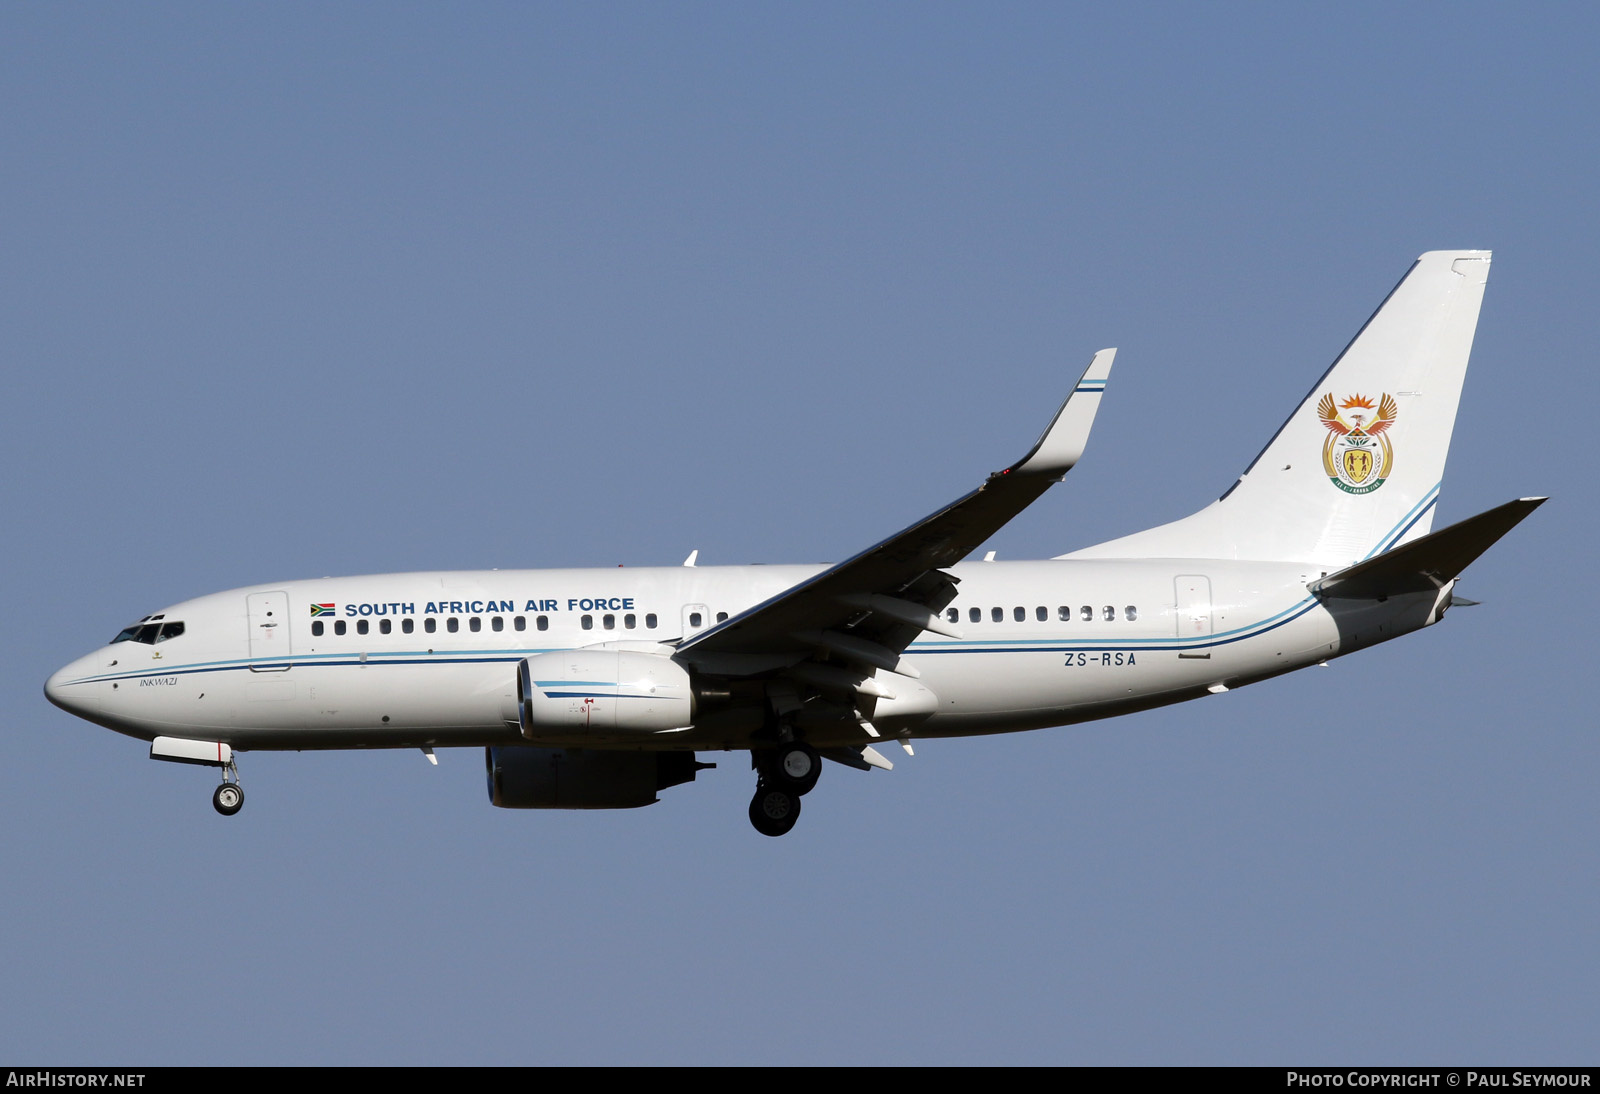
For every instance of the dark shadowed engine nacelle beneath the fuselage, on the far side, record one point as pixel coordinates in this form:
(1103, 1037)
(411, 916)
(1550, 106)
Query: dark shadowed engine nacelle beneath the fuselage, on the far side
(526, 778)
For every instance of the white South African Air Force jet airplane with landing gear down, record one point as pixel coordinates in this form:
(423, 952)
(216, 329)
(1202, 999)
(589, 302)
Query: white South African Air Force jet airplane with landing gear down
(596, 689)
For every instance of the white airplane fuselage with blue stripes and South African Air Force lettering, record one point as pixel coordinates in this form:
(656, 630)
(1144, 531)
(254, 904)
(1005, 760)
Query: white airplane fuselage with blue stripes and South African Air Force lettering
(431, 660)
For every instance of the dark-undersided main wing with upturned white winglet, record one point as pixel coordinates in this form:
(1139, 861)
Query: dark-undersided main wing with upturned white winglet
(833, 633)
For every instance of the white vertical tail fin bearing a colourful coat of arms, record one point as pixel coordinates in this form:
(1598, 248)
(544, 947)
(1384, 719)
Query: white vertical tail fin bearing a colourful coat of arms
(1358, 466)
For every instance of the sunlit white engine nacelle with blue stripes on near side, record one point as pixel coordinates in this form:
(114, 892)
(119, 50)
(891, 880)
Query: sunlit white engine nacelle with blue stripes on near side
(602, 693)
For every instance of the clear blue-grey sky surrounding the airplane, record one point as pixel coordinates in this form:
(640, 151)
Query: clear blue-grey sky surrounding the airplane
(303, 290)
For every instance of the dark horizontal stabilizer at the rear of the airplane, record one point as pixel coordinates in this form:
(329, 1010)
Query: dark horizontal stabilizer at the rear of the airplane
(1428, 564)
